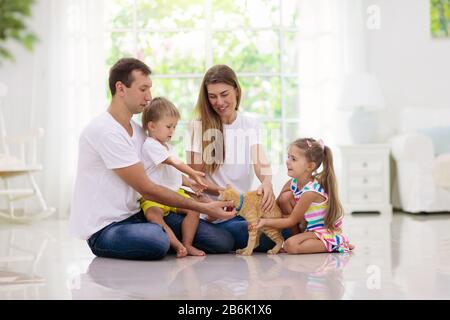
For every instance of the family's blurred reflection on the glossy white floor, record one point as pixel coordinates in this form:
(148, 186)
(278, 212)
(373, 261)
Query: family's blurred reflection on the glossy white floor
(261, 276)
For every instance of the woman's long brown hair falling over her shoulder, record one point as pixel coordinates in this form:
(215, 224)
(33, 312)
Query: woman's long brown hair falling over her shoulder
(213, 148)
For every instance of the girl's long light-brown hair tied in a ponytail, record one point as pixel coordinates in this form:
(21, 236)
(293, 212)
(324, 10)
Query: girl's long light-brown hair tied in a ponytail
(320, 154)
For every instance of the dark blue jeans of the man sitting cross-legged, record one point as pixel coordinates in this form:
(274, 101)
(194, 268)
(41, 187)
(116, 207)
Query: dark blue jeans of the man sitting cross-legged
(137, 239)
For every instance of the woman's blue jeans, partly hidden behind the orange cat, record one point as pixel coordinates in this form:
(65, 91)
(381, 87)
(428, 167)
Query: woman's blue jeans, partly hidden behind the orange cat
(238, 227)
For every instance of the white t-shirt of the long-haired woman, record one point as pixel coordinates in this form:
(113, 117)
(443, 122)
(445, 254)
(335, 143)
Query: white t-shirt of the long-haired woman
(239, 136)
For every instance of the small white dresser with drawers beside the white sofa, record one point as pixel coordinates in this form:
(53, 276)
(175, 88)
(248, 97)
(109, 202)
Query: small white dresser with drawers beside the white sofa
(364, 182)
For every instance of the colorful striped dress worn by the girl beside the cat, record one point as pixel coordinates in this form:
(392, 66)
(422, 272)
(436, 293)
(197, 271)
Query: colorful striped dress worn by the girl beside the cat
(334, 241)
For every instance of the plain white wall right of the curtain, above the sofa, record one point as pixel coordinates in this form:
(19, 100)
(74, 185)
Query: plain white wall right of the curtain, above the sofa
(413, 68)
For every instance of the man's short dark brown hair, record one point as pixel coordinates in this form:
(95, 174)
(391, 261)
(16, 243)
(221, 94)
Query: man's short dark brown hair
(121, 71)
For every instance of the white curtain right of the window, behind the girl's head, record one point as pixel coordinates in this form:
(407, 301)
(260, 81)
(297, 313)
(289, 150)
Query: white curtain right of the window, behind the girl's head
(331, 45)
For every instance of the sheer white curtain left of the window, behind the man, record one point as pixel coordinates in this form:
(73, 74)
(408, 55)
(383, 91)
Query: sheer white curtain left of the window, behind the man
(74, 67)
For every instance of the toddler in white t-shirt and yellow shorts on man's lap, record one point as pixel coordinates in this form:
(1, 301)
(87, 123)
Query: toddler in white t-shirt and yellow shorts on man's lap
(159, 119)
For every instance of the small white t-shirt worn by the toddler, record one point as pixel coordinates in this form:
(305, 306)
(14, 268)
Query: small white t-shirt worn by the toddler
(153, 154)
